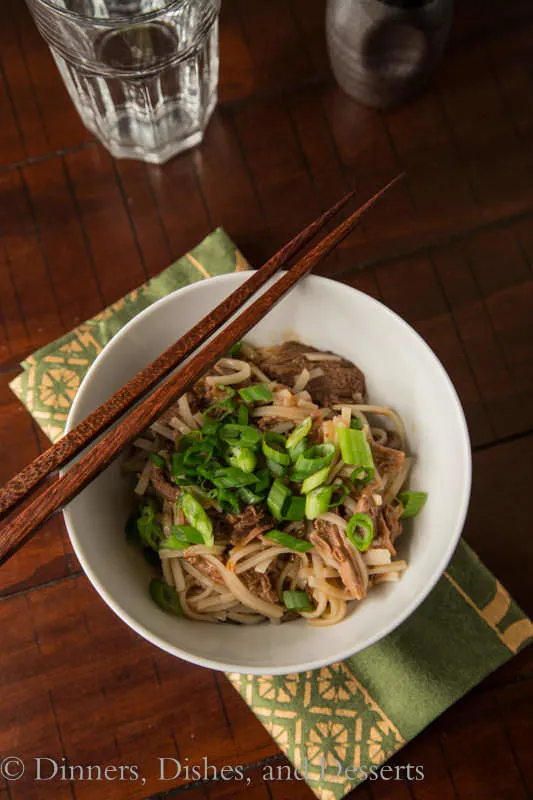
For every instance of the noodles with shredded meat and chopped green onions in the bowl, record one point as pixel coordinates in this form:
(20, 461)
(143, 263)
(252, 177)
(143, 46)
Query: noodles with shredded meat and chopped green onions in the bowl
(272, 491)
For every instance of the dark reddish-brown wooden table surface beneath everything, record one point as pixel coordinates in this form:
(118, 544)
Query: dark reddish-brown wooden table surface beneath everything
(451, 251)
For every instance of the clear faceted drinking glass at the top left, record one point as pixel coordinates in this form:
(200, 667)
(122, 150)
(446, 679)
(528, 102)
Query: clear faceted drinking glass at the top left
(143, 74)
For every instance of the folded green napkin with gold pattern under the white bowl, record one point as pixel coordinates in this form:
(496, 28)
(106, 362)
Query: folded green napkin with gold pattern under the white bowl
(337, 723)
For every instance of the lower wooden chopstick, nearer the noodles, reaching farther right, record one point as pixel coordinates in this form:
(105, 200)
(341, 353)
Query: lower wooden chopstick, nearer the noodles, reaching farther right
(65, 488)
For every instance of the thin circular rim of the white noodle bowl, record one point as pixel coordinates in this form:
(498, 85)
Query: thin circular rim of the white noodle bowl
(345, 653)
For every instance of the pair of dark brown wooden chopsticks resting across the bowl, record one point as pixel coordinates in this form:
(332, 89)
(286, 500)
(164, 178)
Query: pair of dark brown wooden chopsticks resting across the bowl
(63, 489)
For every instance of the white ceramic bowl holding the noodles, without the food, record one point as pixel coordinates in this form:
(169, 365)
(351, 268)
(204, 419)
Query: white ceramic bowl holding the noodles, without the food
(401, 371)
